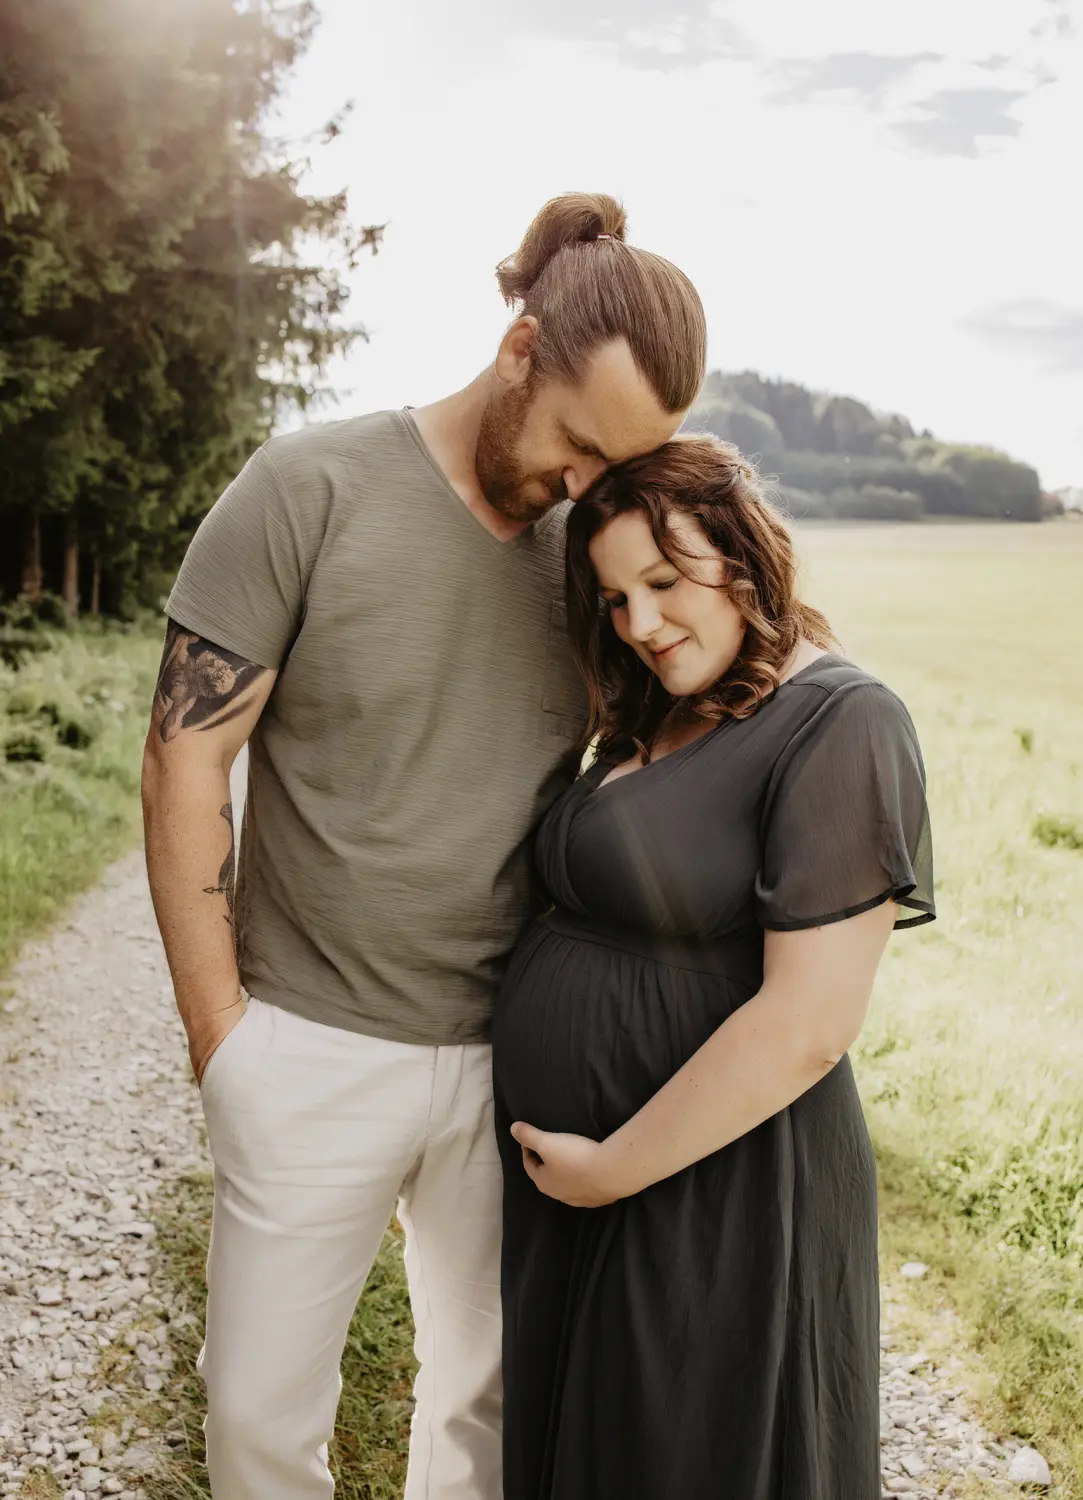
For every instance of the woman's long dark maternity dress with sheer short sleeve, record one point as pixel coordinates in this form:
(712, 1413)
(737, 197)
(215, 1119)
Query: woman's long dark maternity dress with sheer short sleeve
(716, 1336)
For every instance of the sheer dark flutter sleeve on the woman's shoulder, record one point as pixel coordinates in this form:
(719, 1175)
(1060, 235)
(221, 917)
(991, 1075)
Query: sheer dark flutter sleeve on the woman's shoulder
(847, 823)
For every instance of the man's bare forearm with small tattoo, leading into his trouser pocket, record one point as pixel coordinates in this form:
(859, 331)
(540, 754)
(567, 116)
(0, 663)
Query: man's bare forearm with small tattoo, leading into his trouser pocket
(190, 842)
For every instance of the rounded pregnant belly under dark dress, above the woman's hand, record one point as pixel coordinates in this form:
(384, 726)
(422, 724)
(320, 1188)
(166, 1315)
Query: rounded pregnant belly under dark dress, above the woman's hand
(586, 1034)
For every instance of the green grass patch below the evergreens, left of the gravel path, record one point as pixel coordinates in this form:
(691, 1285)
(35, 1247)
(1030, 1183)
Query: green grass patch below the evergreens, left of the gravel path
(73, 721)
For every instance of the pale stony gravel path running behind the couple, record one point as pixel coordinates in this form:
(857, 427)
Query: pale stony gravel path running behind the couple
(98, 1114)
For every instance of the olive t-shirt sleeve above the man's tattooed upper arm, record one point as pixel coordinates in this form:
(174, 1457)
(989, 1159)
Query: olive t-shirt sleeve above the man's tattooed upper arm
(242, 583)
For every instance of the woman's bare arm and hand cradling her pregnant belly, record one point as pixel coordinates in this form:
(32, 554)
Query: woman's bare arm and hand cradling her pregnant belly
(806, 1016)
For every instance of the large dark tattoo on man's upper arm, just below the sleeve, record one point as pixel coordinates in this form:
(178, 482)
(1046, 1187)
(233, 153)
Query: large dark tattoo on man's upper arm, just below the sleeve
(200, 686)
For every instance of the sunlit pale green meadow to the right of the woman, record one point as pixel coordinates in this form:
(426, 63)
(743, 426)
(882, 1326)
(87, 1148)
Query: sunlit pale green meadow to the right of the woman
(971, 1064)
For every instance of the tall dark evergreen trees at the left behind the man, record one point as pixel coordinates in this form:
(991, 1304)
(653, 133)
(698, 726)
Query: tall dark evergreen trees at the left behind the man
(161, 299)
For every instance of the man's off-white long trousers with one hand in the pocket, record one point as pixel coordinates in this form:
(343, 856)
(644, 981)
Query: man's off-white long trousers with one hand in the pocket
(317, 1135)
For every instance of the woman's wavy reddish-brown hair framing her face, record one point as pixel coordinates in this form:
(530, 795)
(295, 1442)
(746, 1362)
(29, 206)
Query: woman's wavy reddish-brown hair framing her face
(715, 485)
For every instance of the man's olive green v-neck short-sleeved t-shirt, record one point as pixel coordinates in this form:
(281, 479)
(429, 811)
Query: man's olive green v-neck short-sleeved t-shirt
(418, 731)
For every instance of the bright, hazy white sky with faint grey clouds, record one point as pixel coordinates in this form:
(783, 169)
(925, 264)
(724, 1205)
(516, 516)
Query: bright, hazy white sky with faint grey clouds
(874, 197)
